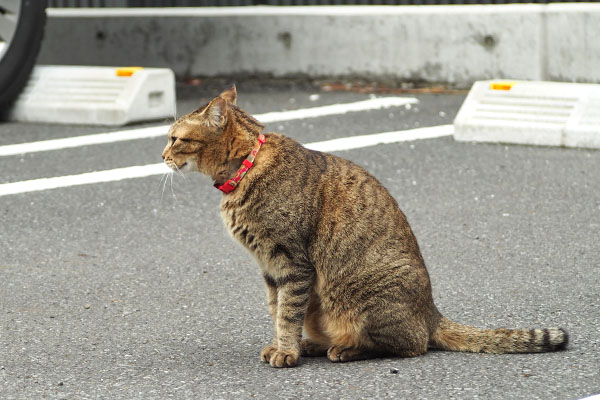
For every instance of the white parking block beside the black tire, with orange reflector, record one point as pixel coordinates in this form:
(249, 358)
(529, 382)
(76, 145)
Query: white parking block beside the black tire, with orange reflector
(96, 95)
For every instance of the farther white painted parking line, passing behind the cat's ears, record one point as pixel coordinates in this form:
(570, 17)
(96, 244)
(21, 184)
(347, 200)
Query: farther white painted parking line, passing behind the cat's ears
(157, 131)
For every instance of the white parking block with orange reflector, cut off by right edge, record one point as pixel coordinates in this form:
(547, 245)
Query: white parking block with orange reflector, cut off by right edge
(534, 113)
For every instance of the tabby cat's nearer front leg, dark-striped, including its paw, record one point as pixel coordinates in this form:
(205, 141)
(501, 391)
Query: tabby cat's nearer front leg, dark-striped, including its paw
(293, 291)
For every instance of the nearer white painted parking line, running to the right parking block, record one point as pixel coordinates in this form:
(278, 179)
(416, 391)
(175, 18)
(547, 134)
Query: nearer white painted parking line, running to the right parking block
(141, 171)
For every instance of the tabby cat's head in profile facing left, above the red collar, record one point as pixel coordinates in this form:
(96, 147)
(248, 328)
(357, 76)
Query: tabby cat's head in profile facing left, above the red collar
(198, 140)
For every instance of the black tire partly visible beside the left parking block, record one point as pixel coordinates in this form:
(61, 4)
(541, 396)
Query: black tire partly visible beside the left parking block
(19, 58)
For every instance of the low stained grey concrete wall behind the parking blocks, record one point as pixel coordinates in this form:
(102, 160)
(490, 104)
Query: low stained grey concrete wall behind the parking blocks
(453, 44)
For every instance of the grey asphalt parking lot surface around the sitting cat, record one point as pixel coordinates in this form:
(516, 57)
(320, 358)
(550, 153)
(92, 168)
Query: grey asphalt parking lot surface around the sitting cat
(133, 290)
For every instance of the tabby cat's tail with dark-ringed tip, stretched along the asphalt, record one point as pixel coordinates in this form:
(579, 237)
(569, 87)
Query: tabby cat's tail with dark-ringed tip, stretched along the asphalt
(453, 336)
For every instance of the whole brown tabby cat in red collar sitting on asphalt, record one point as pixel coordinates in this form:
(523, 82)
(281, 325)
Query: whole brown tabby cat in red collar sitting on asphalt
(338, 257)
